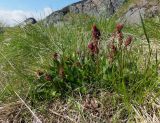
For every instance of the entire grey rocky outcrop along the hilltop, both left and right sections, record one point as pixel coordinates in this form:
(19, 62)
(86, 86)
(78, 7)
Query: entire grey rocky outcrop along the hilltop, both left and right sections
(106, 8)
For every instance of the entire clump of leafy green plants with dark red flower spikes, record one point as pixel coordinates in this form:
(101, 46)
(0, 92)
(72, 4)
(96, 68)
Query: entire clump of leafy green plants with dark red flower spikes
(117, 70)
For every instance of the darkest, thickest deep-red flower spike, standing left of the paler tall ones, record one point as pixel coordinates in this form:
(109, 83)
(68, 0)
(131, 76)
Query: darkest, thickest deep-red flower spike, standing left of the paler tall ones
(94, 44)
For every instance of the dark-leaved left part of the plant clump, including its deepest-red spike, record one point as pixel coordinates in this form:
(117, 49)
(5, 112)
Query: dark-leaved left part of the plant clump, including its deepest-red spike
(68, 73)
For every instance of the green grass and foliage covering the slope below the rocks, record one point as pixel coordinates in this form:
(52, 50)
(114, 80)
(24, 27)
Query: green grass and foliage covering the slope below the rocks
(128, 82)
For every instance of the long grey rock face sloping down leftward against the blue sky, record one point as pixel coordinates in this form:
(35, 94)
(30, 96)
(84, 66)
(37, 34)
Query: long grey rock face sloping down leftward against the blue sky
(90, 7)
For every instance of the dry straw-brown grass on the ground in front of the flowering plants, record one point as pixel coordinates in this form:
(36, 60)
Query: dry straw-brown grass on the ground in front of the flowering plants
(104, 108)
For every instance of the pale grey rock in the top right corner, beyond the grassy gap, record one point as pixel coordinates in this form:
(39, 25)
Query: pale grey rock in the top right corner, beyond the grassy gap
(147, 8)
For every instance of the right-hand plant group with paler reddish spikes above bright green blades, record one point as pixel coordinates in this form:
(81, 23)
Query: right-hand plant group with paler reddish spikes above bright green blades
(126, 73)
